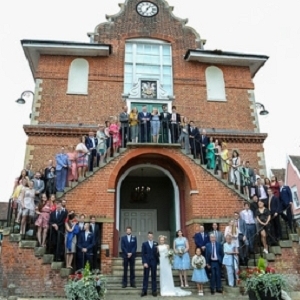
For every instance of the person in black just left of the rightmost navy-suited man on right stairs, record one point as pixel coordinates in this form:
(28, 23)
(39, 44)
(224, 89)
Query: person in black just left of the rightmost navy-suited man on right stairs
(275, 209)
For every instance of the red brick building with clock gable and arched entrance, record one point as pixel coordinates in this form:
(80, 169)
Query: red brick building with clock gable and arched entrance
(79, 85)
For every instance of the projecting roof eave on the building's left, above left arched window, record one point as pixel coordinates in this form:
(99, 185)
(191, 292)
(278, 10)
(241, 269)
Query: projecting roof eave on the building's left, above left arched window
(34, 48)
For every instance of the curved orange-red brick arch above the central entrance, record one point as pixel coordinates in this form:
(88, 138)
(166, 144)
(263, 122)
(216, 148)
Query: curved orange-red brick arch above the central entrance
(175, 157)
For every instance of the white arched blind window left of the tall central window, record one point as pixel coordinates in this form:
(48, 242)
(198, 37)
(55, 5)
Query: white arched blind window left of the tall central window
(78, 77)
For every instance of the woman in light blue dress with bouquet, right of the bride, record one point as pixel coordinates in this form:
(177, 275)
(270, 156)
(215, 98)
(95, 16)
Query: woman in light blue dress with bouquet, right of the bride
(182, 260)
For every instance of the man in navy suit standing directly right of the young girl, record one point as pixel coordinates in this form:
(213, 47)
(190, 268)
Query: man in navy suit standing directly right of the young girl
(214, 257)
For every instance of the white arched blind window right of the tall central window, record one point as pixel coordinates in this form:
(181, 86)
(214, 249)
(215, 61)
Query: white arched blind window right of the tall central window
(215, 84)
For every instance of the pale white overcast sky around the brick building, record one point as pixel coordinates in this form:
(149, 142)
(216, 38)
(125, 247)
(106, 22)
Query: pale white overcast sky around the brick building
(269, 27)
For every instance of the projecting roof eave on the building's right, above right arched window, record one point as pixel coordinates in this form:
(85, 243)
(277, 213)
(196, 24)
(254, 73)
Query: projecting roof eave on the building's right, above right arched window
(253, 61)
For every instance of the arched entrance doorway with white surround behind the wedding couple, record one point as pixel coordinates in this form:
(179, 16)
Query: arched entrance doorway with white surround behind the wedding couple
(157, 211)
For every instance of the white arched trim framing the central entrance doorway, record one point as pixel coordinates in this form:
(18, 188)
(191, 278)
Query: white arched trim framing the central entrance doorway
(168, 174)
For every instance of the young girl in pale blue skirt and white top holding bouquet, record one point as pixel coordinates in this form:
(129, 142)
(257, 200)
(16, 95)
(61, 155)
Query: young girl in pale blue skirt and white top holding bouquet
(199, 274)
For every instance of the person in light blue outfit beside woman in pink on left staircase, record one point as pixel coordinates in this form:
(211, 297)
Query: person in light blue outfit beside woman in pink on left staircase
(62, 164)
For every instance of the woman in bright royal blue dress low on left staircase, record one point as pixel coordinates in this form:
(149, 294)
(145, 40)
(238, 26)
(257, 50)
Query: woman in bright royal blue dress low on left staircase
(72, 229)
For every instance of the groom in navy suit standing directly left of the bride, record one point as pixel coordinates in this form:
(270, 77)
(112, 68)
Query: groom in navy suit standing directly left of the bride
(150, 261)
